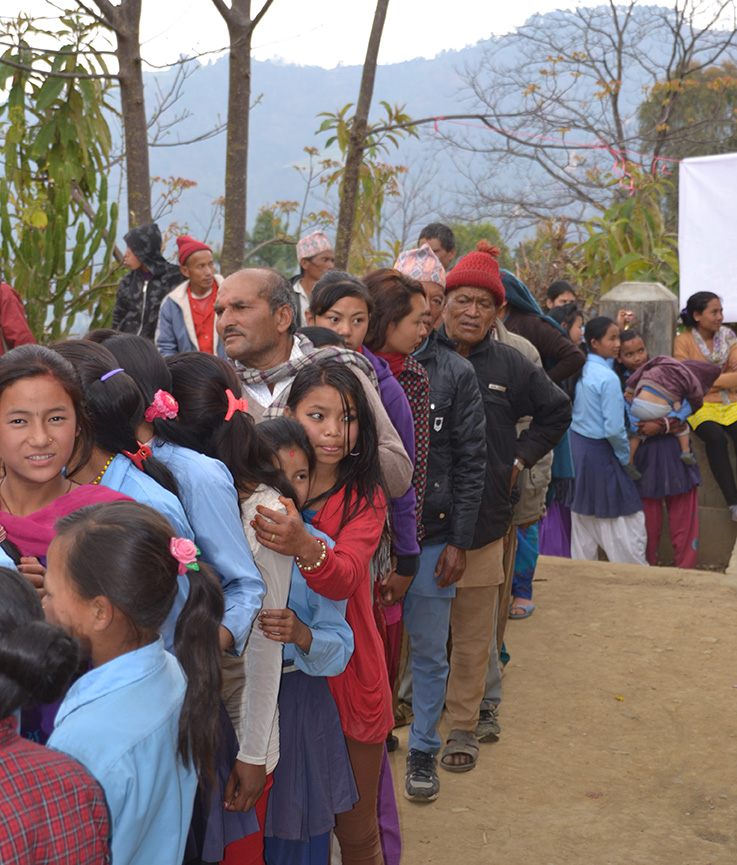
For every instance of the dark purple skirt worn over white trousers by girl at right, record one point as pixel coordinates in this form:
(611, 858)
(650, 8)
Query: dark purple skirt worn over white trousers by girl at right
(603, 488)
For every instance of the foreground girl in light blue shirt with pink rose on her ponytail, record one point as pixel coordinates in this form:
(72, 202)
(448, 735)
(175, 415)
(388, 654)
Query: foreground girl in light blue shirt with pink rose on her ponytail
(142, 723)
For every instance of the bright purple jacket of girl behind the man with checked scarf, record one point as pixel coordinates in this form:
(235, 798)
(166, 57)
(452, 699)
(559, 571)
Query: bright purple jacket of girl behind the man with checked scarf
(402, 510)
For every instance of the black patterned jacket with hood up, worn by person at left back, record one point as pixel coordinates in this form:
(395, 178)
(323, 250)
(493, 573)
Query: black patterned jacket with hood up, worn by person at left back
(141, 291)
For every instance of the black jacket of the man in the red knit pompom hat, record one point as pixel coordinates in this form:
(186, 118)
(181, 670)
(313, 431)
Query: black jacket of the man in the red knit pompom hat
(512, 387)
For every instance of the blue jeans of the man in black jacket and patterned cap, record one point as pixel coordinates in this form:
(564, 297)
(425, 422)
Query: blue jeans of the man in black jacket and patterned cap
(427, 620)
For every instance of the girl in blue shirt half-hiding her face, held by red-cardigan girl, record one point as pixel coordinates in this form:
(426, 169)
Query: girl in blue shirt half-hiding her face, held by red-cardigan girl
(313, 780)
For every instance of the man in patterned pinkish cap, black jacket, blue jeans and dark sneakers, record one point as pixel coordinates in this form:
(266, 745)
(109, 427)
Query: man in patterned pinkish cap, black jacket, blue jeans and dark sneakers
(455, 483)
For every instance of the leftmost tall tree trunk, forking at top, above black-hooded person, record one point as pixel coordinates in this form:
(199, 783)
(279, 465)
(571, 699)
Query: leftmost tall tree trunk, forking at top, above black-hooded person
(125, 21)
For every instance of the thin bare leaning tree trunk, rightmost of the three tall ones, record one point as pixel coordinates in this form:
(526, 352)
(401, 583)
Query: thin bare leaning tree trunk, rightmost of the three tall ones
(357, 141)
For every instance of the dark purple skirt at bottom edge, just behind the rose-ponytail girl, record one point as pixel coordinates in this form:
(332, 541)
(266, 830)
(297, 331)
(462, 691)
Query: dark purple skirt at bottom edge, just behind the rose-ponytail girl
(213, 828)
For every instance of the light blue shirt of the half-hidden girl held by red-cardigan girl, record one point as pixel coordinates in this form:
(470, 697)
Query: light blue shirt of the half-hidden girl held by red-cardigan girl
(332, 636)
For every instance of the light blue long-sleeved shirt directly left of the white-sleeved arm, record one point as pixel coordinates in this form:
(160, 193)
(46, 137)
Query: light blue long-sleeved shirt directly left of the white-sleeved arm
(210, 500)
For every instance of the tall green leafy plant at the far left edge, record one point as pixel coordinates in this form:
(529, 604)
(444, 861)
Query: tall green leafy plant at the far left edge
(57, 226)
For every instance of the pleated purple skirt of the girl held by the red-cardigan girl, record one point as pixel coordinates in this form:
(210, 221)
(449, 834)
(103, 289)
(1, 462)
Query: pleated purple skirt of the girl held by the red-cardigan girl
(313, 780)
